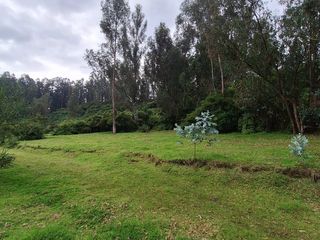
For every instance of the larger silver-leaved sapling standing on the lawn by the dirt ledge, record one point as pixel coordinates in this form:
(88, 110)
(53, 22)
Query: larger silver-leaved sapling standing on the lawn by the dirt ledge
(202, 130)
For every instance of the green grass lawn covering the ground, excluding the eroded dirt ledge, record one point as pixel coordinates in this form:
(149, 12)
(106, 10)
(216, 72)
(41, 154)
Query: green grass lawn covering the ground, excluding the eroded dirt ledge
(86, 187)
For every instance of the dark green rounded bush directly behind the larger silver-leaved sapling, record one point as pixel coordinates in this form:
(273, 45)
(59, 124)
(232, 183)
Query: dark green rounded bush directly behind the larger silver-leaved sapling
(222, 107)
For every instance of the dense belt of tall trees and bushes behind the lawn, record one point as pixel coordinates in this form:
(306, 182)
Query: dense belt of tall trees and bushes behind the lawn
(255, 71)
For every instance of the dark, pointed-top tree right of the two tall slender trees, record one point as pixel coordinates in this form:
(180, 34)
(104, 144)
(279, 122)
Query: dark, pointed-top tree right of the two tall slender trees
(165, 71)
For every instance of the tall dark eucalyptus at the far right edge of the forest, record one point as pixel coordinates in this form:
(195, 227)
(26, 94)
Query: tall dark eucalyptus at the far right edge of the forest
(300, 35)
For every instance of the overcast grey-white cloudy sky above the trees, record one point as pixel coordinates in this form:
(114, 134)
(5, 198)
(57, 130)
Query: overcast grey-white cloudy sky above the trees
(48, 38)
